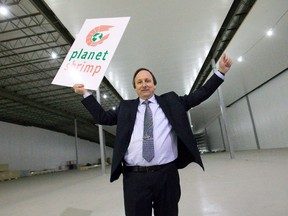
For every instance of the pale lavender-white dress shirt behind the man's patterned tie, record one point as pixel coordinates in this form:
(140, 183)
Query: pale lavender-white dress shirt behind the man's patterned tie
(165, 140)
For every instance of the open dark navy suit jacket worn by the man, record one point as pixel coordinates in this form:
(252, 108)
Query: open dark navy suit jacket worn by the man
(175, 108)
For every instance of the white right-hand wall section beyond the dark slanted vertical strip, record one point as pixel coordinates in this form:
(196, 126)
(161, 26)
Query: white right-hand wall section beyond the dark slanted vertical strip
(269, 105)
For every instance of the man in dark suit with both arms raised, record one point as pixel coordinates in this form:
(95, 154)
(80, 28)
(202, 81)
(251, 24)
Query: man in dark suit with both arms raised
(152, 182)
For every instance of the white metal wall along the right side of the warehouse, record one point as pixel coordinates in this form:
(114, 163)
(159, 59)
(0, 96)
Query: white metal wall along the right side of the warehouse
(269, 105)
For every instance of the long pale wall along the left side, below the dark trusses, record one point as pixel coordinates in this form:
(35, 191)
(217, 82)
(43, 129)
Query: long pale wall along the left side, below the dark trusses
(30, 148)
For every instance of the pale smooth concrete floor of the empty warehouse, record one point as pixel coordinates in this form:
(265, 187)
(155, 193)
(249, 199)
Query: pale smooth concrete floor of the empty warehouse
(254, 183)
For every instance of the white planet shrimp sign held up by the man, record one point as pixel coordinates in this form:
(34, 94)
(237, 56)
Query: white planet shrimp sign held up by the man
(91, 52)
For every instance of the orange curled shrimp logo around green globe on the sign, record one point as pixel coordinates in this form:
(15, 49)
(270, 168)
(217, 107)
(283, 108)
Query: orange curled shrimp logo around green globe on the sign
(96, 36)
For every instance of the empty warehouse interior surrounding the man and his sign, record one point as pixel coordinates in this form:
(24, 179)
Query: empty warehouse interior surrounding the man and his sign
(244, 147)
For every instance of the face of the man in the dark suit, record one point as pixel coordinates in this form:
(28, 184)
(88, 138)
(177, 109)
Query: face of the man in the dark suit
(144, 85)
